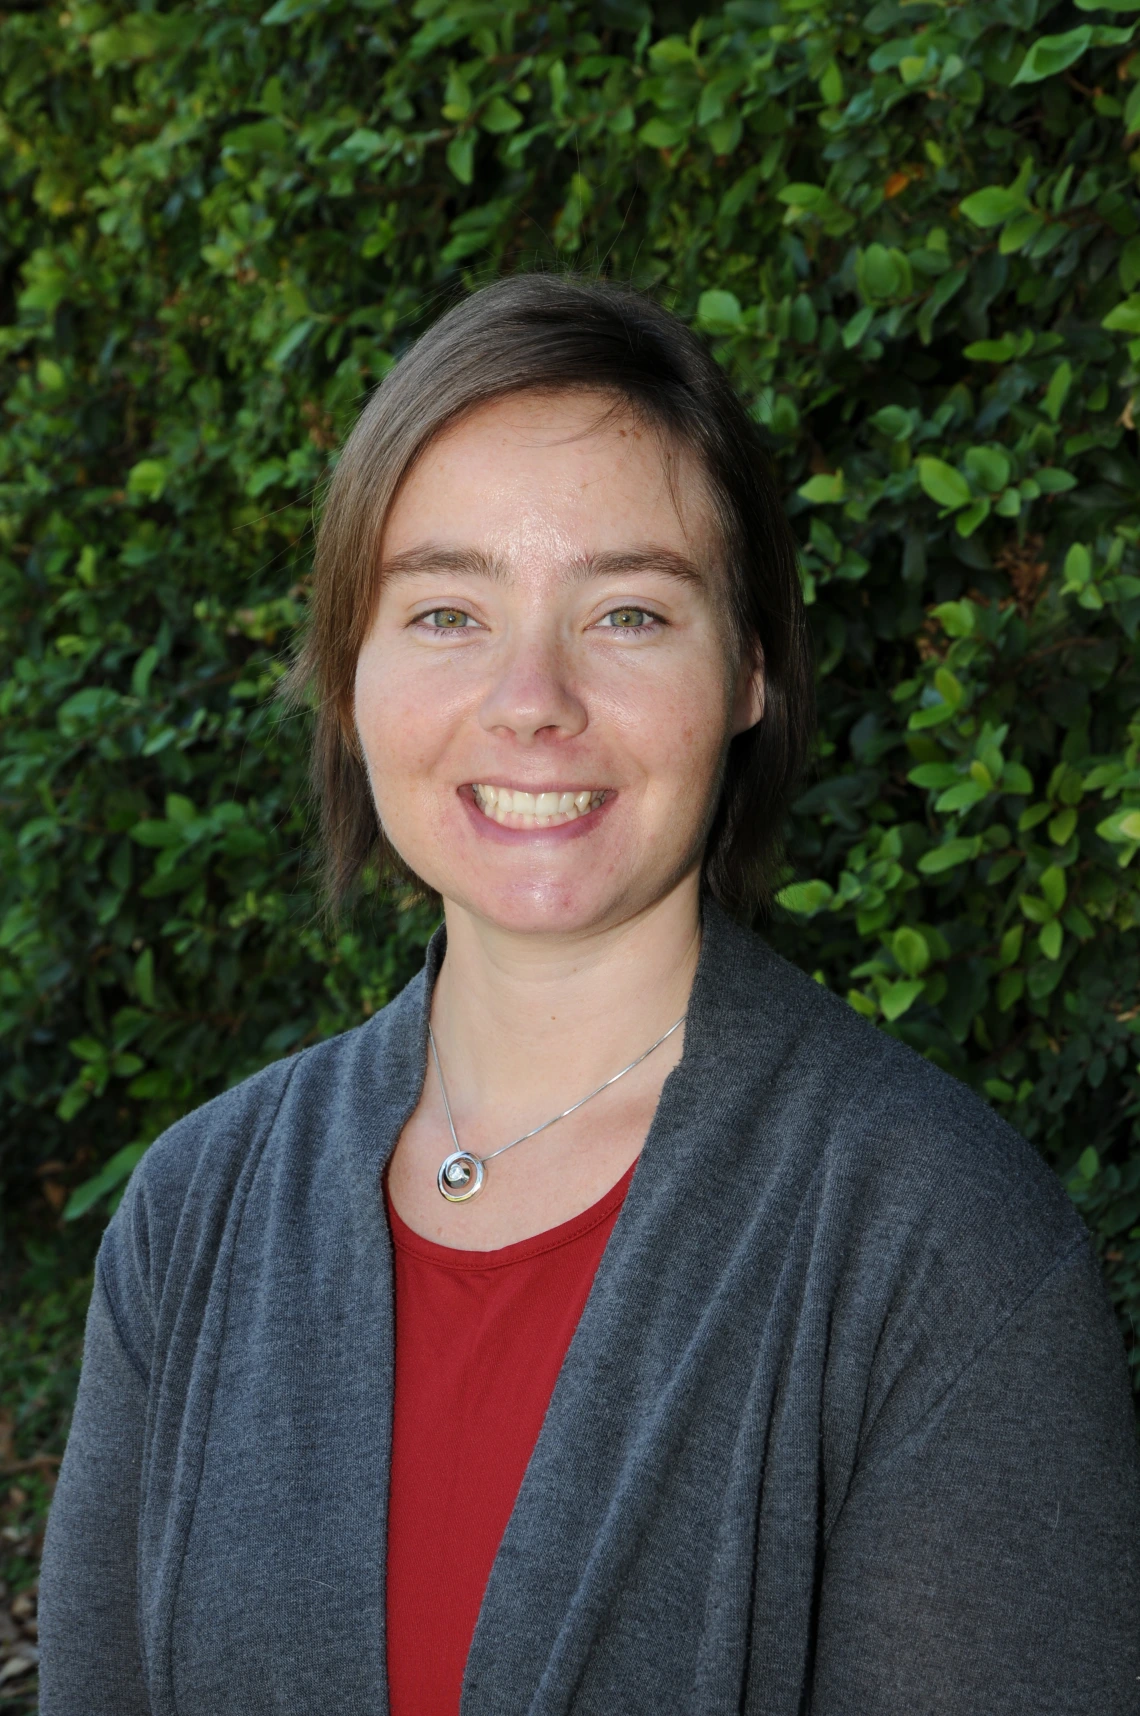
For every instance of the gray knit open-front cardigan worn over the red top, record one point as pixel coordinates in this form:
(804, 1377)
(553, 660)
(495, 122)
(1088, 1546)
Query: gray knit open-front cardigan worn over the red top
(844, 1429)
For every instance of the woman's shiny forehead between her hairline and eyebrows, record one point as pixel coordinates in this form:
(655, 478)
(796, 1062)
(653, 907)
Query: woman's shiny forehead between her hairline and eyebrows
(579, 471)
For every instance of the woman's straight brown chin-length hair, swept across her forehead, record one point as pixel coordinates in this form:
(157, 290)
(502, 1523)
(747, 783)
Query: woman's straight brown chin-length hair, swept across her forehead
(555, 334)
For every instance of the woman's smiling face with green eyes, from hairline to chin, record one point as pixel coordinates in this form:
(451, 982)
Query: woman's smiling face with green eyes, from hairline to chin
(549, 686)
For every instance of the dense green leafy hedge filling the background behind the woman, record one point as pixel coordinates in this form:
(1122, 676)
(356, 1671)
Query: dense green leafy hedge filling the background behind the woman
(913, 234)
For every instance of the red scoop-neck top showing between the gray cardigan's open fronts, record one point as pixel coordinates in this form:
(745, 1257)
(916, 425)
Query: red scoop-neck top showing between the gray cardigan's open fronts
(480, 1343)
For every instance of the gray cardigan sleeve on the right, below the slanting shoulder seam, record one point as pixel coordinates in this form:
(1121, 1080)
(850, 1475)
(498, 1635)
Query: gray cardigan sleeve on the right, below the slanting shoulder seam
(990, 1557)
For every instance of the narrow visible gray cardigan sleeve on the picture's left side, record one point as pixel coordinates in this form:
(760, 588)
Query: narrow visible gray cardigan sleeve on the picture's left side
(88, 1590)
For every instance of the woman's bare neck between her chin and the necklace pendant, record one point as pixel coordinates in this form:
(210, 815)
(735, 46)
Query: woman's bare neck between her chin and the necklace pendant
(535, 1017)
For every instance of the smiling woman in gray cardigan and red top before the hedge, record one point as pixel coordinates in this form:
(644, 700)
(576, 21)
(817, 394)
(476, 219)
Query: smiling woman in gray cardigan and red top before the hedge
(775, 1375)
